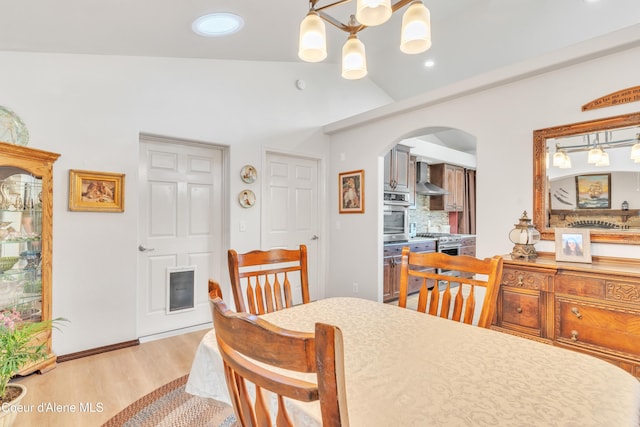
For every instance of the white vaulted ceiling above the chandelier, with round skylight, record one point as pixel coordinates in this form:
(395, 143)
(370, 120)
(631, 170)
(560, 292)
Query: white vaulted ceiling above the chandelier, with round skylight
(469, 36)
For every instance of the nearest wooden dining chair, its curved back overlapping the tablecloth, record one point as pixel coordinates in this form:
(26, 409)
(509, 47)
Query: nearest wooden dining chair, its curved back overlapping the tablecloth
(244, 338)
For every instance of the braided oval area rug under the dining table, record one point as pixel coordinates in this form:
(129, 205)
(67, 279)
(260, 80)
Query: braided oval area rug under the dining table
(171, 406)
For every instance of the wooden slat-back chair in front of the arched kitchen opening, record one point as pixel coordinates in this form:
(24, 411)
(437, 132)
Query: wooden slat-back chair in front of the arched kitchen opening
(423, 267)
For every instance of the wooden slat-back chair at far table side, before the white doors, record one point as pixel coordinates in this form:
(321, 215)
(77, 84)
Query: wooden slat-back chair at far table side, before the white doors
(263, 277)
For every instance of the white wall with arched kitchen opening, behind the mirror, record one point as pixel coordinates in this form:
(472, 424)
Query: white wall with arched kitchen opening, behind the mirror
(501, 109)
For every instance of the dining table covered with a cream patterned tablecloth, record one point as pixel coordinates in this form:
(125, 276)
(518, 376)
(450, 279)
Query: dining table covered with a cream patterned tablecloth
(406, 368)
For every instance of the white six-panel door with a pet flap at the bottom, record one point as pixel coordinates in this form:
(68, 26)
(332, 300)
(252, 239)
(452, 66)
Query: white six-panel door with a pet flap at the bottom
(180, 226)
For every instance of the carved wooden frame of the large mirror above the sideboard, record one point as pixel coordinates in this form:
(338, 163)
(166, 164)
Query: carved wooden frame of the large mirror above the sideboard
(540, 202)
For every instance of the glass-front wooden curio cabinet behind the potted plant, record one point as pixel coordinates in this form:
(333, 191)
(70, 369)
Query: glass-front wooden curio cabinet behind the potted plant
(26, 205)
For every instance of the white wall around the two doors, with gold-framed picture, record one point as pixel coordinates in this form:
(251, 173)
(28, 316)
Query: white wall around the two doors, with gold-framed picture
(91, 109)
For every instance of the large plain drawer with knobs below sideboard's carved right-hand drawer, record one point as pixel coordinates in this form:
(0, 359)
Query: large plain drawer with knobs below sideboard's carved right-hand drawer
(586, 323)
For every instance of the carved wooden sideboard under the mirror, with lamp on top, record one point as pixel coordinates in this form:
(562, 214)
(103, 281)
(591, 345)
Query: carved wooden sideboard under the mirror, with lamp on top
(592, 308)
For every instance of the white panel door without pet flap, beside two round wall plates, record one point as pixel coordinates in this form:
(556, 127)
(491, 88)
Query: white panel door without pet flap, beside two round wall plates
(291, 210)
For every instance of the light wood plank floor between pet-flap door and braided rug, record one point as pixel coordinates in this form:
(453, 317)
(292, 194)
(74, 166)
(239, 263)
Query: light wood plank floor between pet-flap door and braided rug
(109, 381)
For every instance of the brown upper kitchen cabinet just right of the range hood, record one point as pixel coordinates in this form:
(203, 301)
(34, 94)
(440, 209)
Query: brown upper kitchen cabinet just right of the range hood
(451, 178)
